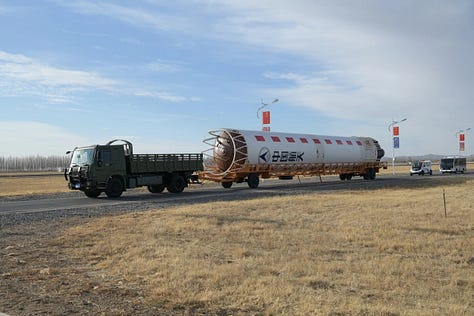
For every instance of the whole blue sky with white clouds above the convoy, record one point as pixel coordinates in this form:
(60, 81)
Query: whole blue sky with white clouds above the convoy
(163, 73)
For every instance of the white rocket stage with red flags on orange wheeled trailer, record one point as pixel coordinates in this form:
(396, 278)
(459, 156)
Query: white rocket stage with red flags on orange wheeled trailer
(238, 156)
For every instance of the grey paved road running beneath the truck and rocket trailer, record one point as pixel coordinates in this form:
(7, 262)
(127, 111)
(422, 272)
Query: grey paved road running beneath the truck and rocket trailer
(134, 199)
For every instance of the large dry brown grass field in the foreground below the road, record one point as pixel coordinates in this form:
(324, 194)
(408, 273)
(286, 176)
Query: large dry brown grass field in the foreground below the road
(383, 252)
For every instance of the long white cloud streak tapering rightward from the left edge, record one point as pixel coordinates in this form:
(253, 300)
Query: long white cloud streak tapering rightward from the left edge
(24, 76)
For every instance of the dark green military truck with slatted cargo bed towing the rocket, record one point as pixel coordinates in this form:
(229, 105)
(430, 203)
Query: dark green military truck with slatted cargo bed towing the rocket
(113, 168)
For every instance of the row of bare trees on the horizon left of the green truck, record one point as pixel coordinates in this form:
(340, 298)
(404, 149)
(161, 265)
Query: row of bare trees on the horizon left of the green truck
(33, 163)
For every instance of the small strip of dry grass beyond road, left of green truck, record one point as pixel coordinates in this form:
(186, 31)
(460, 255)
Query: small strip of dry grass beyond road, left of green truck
(37, 184)
